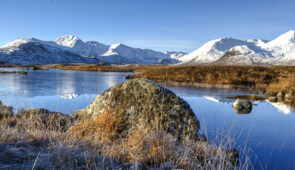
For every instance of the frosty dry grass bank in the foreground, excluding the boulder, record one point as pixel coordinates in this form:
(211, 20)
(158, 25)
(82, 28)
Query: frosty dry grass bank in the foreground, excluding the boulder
(37, 139)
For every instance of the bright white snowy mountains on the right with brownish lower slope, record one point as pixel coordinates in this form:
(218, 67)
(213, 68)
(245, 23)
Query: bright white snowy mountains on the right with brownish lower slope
(228, 51)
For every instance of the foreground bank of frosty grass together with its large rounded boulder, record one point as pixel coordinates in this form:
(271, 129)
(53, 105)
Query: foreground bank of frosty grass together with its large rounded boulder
(134, 125)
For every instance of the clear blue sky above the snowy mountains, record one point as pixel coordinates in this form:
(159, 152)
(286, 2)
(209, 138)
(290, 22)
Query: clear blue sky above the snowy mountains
(181, 25)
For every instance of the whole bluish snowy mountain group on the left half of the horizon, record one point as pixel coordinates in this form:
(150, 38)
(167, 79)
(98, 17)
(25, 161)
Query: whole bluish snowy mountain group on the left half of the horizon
(71, 49)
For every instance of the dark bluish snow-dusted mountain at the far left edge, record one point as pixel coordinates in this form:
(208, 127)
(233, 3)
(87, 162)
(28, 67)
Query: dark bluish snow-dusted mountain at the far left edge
(34, 51)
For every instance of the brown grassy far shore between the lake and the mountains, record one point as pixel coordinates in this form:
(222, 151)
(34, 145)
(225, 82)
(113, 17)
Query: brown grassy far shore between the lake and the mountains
(267, 80)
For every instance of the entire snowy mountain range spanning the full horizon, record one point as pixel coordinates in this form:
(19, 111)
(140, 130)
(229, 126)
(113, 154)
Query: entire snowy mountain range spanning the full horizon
(223, 51)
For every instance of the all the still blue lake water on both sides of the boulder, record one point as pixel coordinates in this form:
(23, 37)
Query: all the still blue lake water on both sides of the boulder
(268, 131)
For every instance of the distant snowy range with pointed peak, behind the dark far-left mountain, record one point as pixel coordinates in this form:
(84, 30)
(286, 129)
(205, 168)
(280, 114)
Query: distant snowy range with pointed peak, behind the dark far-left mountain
(117, 53)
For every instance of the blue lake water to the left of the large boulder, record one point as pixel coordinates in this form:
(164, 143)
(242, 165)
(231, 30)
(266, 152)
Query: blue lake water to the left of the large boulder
(56, 90)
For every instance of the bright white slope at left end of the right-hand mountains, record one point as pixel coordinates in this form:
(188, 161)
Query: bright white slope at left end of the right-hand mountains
(211, 51)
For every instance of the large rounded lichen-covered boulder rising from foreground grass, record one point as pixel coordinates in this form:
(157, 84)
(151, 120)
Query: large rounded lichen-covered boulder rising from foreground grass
(143, 102)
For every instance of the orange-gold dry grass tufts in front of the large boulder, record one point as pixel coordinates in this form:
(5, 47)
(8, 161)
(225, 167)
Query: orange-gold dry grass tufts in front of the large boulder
(147, 146)
